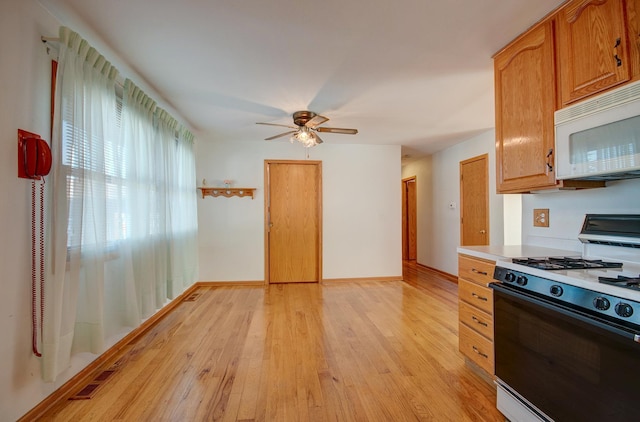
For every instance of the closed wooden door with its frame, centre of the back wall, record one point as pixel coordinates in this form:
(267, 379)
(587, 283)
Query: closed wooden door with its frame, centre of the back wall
(293, 221)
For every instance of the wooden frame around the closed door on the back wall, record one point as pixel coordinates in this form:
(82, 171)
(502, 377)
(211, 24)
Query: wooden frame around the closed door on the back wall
(267, 193)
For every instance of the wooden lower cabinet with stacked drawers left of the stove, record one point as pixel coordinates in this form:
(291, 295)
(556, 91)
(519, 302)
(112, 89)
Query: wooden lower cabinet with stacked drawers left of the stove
(475, 311)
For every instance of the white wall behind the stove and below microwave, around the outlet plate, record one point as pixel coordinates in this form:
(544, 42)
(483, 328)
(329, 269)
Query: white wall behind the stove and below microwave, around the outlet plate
(568, 208)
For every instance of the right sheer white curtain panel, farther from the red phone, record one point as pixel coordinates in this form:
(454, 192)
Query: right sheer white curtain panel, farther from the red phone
(162, 201)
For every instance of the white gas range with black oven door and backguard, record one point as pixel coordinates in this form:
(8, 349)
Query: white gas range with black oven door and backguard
(567, 328)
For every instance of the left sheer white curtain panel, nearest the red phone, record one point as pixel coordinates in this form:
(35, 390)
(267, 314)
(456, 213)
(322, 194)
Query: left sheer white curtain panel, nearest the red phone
(85, 118)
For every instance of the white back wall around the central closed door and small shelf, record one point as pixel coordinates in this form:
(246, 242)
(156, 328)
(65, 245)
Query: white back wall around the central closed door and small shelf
(361, 209)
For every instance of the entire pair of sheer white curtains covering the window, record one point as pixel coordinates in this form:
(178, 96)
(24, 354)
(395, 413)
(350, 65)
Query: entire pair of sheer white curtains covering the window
(123, 229)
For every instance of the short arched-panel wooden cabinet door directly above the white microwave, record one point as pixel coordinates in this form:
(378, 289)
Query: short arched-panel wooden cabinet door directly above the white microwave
(593, 48)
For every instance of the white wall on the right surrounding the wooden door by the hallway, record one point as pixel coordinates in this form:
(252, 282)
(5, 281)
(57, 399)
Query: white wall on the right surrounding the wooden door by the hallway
(441, 236)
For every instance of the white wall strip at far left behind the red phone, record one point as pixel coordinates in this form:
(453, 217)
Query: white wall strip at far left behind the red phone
(25, 78)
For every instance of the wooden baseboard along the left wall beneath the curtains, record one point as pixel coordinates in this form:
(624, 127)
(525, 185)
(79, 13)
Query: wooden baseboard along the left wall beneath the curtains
(88, 373)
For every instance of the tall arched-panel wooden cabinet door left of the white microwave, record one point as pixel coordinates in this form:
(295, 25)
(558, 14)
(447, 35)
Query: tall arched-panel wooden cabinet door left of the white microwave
(525, 102)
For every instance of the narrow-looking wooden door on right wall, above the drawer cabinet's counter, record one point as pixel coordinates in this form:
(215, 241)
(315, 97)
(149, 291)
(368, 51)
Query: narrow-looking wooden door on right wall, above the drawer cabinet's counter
(474, 201)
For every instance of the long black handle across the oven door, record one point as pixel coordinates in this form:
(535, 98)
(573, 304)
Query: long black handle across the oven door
(565, 310)
